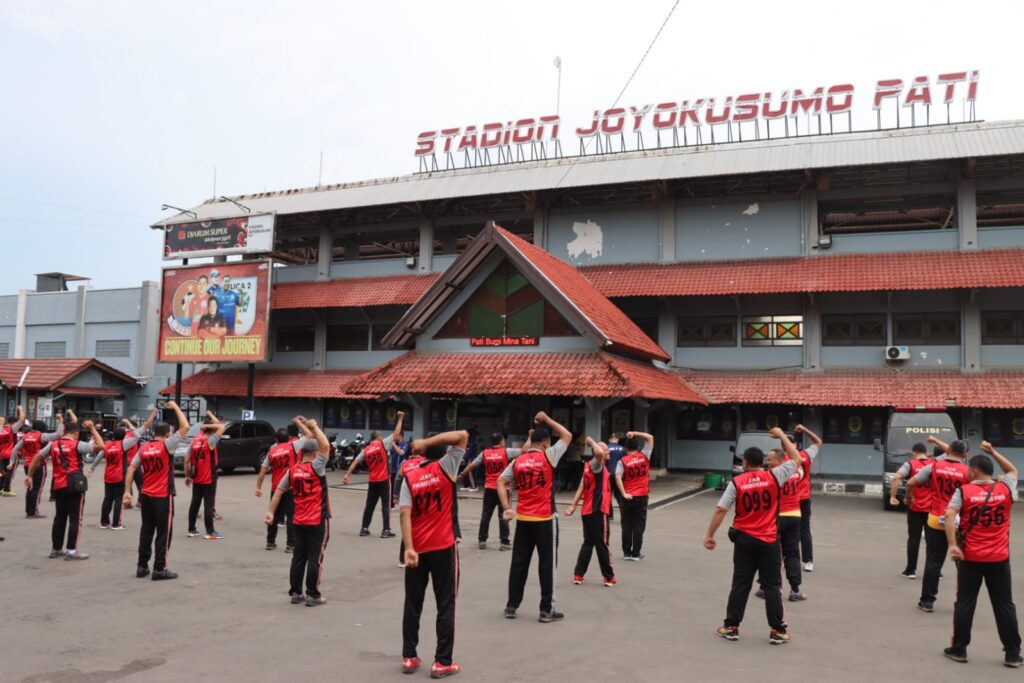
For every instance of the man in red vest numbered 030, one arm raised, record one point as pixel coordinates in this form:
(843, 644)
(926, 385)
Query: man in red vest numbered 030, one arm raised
(156, 501)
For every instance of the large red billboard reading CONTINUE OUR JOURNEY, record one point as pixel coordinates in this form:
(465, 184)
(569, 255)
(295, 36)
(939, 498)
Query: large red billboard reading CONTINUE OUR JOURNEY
(218, 313)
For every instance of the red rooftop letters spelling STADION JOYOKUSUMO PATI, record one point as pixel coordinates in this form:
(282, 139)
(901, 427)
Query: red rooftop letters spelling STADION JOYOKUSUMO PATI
(476, 144)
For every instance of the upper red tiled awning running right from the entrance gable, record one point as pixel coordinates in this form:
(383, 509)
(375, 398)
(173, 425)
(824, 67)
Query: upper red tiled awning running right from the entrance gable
(841, 273)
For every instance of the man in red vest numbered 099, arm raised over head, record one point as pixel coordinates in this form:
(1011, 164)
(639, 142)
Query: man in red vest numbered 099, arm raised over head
(755, 493)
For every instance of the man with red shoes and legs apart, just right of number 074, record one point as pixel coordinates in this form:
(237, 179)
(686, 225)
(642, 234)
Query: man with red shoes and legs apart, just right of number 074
(595, 491)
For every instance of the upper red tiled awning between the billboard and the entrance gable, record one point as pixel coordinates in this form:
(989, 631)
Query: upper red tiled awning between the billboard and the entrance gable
(352, 293)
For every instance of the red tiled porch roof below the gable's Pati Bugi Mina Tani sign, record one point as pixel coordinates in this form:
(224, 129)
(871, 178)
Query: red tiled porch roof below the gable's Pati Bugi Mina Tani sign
(598, 375)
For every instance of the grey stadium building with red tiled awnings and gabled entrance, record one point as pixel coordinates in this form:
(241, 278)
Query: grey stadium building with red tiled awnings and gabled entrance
(695, 292)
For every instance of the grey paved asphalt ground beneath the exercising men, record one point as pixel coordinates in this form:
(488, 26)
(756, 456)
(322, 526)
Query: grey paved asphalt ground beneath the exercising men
(228, 617)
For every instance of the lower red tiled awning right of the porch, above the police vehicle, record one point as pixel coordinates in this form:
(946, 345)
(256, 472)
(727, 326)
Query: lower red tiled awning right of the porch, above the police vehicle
(929, 390)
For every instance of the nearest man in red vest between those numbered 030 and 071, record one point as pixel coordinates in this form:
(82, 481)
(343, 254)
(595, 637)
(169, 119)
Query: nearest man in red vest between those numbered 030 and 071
(307, 481)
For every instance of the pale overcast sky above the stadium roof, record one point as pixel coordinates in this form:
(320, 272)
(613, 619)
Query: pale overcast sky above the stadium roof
(112, 109)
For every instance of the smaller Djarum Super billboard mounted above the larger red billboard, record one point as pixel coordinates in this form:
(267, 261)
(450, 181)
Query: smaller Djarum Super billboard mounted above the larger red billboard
(246, 235)
